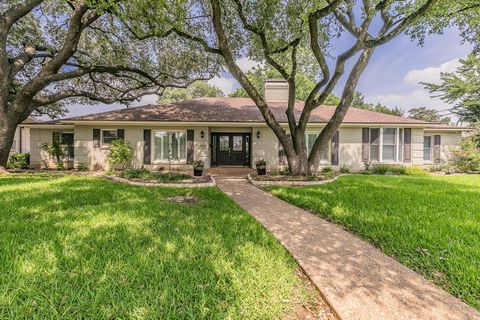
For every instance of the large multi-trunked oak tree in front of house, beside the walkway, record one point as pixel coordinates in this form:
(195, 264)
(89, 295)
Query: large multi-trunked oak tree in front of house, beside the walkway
(299, 36)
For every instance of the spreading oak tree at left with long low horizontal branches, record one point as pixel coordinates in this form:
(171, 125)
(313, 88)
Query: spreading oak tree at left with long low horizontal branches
(54, 52)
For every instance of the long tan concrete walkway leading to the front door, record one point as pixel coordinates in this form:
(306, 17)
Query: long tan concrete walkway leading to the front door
(358, 281)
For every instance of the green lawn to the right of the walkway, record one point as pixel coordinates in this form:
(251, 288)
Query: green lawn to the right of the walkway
(431, 224)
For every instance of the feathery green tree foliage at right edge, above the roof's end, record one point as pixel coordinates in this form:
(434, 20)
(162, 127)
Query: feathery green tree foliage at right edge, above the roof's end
(461, 88)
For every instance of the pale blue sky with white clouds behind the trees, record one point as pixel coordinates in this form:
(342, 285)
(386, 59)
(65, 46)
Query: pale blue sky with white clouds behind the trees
(391, 77)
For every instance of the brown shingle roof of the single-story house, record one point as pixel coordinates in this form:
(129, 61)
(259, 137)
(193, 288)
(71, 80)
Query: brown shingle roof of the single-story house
(235, 110)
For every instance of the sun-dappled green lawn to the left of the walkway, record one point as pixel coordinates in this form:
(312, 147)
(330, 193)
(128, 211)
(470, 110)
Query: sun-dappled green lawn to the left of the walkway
(87, 248)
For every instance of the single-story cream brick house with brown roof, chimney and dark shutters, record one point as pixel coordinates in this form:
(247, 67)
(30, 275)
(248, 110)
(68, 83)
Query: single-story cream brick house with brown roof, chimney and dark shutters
(232, 132)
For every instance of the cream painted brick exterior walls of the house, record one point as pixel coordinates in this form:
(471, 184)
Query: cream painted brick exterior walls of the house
(266, 147)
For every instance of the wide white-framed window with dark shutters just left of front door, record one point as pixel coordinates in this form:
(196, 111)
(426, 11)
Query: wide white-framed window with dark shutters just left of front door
(169, 146)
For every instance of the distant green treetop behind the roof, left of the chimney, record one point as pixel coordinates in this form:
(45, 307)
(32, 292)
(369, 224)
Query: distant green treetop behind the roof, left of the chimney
(198, 89)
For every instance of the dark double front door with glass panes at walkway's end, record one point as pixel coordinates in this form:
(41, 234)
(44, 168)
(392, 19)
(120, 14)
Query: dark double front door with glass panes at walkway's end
(231, 149)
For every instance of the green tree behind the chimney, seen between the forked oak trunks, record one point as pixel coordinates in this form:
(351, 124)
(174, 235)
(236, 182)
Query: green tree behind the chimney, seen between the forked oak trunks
(304, 84)
